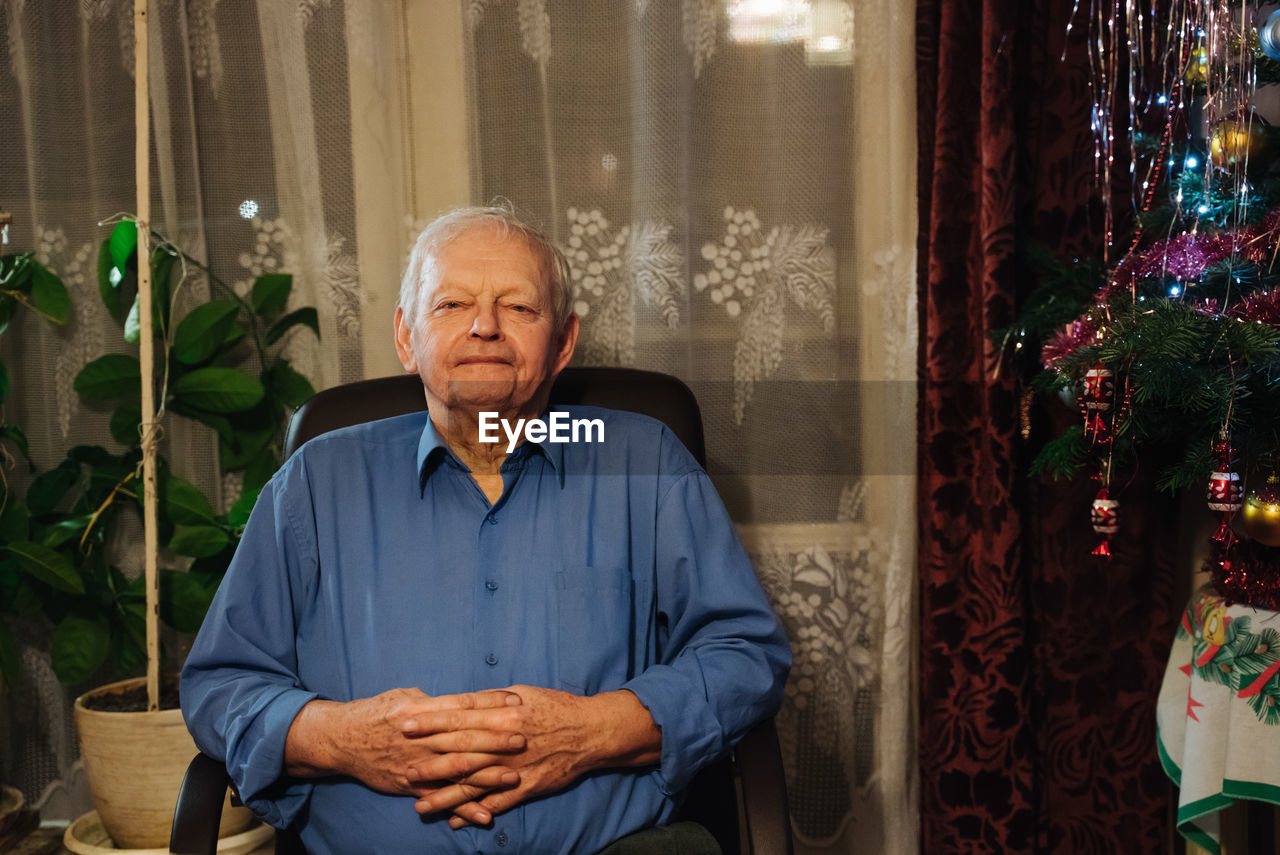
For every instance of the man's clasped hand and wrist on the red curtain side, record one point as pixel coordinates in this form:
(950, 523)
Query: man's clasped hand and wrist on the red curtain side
(566, 737)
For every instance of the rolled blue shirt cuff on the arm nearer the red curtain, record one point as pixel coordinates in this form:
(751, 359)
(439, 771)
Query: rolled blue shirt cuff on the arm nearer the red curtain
(692, 735)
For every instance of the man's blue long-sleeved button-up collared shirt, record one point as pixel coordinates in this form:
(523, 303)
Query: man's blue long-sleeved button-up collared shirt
(374, 561)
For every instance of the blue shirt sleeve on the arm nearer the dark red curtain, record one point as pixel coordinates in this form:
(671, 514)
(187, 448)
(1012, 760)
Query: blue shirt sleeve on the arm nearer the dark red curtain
(724, 657)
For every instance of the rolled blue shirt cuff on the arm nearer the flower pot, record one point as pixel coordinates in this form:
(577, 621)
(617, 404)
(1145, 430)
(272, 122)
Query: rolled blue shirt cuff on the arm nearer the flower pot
(259, 770)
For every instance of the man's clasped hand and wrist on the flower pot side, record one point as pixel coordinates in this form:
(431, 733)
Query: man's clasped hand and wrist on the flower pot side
(378, 740)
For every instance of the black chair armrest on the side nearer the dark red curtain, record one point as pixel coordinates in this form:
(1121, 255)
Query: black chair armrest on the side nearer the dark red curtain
(765, 792)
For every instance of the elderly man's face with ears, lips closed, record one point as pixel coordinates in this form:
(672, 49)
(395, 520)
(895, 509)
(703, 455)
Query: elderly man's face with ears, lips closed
(484, 337)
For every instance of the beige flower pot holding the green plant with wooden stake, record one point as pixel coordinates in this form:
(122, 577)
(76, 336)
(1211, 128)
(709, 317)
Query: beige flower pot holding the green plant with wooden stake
(135, 763)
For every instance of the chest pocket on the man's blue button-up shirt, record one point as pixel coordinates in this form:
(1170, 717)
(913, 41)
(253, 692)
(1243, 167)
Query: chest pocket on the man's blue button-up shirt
(595, 607)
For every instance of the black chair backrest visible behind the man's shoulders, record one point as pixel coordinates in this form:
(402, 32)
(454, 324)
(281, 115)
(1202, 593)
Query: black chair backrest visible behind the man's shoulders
(660, 396)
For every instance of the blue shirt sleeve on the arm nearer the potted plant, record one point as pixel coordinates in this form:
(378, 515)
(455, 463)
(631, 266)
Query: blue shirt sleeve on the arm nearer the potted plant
(240, 685)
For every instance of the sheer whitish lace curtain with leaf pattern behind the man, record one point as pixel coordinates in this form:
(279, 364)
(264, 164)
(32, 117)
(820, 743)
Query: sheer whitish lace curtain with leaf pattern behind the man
(737, 202)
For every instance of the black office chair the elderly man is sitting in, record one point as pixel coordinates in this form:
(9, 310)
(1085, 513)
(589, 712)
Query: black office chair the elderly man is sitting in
(742, 801)
